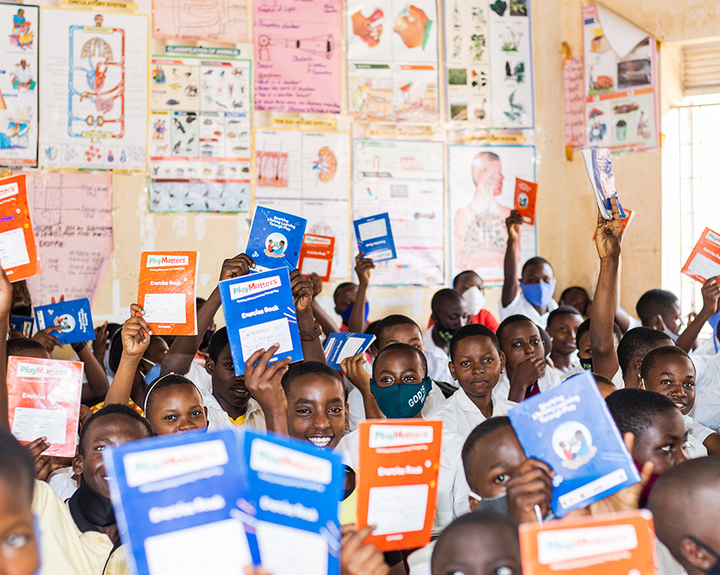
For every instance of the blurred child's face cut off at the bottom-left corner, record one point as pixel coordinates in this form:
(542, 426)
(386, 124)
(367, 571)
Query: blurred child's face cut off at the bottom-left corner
(18, 546)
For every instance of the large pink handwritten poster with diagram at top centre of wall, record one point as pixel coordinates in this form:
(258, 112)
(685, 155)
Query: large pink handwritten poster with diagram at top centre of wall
(297, 55)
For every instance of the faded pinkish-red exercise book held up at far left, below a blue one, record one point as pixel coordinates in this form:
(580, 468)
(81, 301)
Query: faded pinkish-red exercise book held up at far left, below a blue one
(44, 401)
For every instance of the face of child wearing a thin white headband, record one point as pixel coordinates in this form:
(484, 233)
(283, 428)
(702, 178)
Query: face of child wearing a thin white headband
(176, 409)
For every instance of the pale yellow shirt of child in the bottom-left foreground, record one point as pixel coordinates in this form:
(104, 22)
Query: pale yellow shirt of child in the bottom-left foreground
(64, 549)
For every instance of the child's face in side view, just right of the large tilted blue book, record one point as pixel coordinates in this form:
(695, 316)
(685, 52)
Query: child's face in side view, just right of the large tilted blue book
(663, 442)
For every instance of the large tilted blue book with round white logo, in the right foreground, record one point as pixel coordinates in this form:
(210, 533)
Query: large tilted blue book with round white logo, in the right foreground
(570, 428)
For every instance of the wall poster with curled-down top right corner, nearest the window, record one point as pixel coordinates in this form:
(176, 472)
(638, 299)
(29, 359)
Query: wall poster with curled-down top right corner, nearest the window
(620, 83)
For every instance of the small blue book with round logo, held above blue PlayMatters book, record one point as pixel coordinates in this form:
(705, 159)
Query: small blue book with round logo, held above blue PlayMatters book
(275, 239)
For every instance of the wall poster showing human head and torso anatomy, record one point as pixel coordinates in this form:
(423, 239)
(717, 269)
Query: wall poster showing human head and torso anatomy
(482, 192)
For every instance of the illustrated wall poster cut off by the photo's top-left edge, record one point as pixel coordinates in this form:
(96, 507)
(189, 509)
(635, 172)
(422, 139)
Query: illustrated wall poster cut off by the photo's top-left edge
(18, 85)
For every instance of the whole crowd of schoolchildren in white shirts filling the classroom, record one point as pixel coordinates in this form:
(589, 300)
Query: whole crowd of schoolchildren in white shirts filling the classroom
(466, 370)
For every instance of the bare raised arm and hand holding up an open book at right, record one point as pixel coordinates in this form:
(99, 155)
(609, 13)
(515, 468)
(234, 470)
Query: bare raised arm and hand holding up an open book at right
(608, 237)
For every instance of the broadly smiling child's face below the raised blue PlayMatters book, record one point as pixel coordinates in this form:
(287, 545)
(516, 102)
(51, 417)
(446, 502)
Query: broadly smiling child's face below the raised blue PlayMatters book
(317, 411)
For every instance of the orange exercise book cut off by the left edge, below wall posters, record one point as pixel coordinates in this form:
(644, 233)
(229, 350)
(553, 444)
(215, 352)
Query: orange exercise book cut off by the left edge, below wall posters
(18, 252)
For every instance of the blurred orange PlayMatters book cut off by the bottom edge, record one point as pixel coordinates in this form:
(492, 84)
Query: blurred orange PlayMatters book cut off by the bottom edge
(593, 545)
